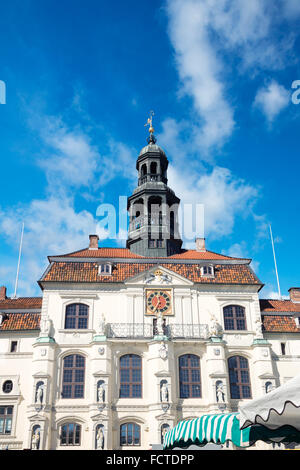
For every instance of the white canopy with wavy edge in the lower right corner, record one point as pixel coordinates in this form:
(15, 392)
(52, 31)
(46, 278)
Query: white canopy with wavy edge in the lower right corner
(275, 409)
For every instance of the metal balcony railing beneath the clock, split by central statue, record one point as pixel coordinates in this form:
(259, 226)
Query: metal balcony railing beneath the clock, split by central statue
(145, 330)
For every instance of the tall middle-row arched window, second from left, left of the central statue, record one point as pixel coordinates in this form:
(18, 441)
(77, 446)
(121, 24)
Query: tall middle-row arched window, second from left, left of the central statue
(130, 376)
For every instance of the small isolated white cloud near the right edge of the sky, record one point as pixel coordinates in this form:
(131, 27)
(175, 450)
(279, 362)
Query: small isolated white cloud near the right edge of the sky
(272, 99)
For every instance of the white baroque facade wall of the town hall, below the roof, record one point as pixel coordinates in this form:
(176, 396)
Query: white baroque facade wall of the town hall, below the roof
(159, 397)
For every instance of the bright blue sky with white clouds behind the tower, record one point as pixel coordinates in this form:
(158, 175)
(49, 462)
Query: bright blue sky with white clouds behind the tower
(81, 78)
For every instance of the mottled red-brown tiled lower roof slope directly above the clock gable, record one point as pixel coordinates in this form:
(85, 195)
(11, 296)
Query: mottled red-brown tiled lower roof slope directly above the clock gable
(88, 272)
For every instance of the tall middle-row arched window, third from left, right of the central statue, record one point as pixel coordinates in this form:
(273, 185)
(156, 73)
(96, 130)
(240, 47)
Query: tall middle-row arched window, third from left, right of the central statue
(189, 376)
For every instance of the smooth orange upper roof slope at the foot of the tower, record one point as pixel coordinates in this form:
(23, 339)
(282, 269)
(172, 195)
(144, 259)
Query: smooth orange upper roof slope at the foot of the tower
(126, 253)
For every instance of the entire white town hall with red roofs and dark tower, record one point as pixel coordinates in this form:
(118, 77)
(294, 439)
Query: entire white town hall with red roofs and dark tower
(124, 343)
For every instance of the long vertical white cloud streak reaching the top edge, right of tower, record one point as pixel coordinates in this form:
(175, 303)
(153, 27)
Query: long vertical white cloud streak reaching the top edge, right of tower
(200, 71)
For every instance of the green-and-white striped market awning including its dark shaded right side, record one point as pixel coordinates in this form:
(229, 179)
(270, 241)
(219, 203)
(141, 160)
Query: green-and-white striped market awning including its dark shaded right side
(219, 428)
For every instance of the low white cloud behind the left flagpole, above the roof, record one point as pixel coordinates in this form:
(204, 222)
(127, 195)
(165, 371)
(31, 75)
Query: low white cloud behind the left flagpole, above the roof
(52, 226)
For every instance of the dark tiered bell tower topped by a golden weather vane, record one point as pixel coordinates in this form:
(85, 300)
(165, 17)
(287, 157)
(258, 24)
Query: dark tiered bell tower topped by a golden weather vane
(153, 206)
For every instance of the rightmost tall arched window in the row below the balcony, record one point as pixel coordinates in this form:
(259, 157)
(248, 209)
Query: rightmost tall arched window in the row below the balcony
(239, 377)
